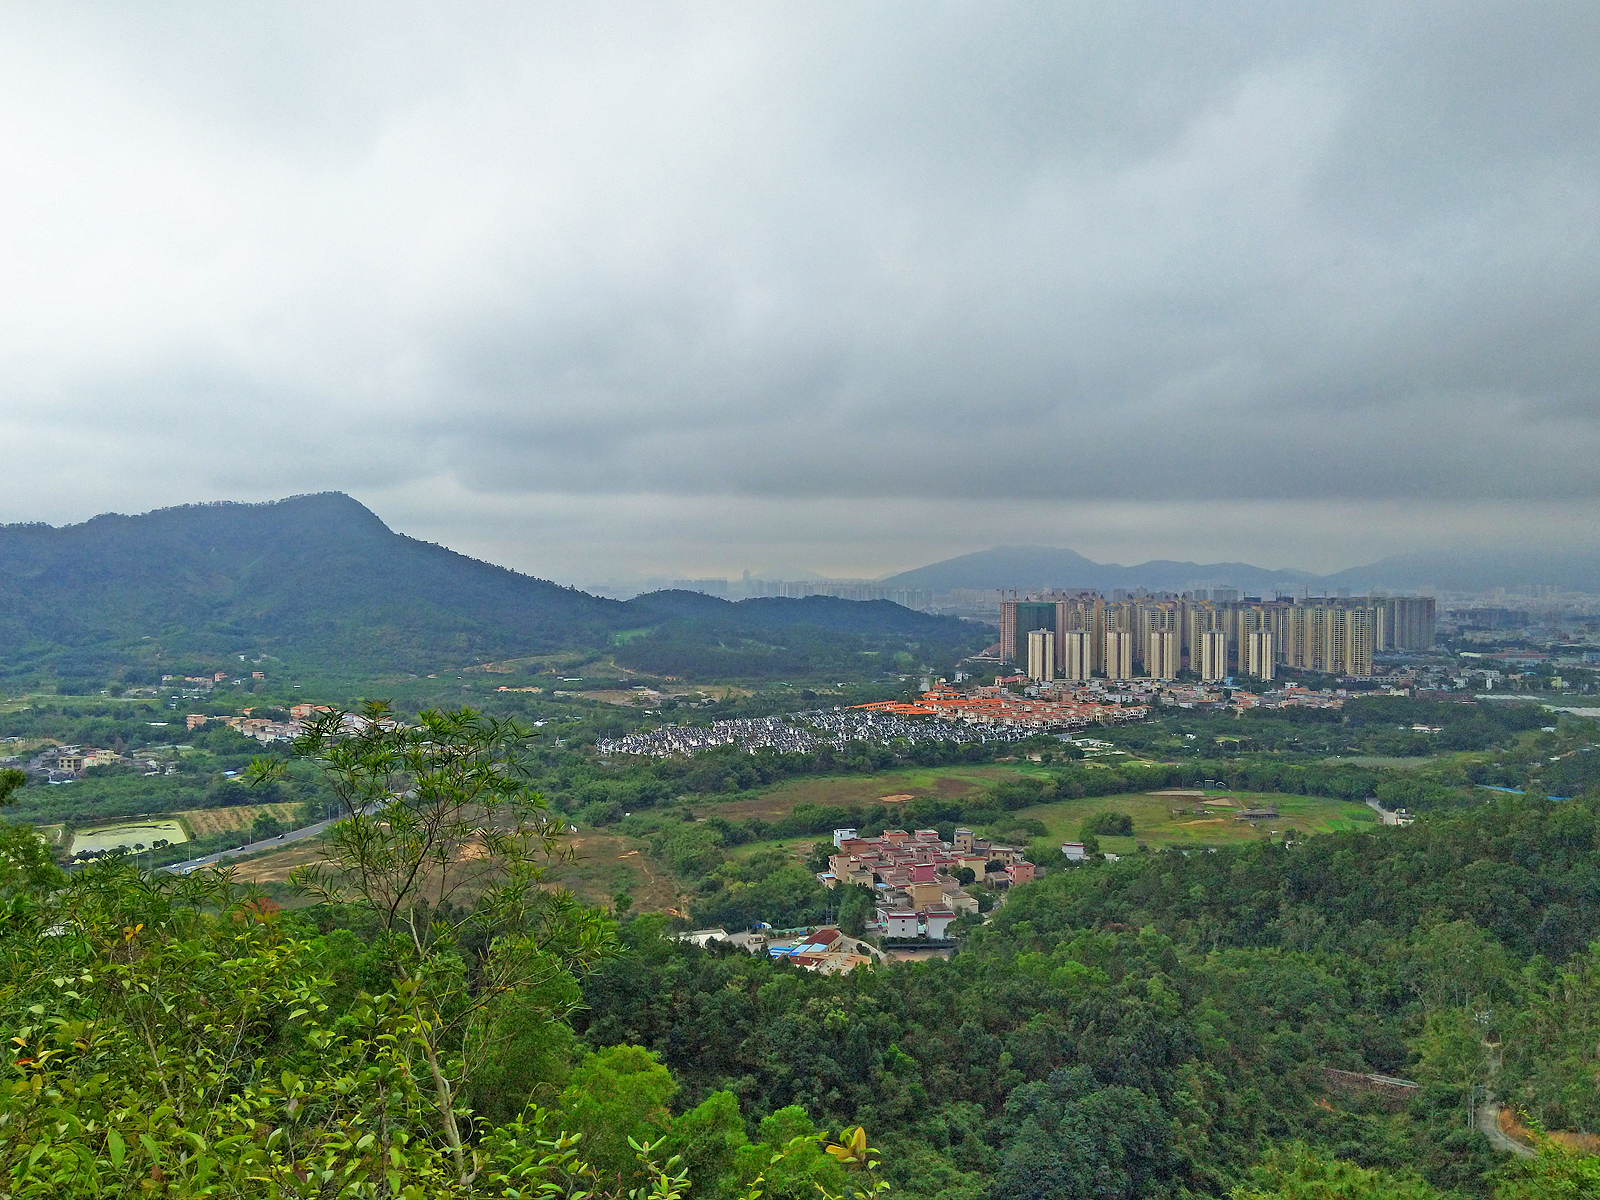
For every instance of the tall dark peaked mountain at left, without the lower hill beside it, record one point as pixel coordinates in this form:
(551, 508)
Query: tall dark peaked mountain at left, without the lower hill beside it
(310, 580)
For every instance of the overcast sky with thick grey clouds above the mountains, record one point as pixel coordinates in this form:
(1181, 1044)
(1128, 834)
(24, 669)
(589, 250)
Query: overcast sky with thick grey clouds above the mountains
(607, 290)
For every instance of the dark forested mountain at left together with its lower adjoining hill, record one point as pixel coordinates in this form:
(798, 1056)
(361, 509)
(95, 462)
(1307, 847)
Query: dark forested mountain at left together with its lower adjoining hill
(322, 583)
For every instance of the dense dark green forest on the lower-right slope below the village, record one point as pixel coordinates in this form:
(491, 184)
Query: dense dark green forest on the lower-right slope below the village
(1153, 1028)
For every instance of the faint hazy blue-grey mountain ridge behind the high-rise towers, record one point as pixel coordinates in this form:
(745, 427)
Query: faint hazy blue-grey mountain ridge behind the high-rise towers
(1041, 567)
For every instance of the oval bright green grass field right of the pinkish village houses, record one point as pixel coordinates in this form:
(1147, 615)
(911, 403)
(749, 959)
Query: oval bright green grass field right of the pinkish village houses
(1209, 822)
